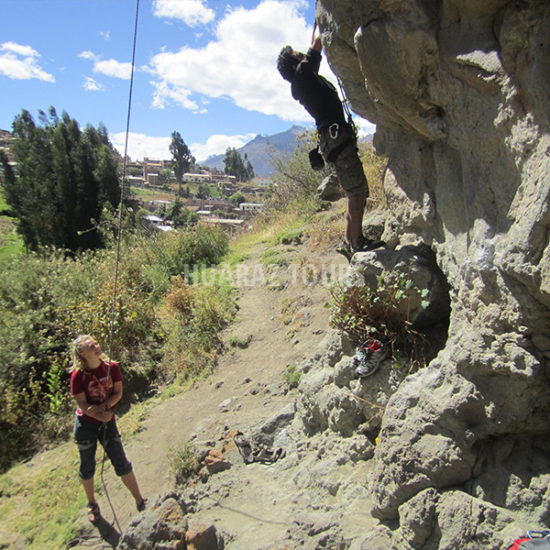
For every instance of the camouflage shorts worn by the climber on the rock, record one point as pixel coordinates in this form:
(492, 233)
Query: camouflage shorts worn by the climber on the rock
(347, 165)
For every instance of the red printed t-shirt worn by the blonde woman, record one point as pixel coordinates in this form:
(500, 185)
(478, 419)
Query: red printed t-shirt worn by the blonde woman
(95, 385)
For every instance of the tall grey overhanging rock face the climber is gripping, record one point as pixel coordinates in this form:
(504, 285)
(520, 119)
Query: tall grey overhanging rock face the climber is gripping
(459, 92)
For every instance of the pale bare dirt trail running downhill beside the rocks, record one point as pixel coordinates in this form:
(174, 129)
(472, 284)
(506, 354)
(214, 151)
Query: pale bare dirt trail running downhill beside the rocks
(284, 325)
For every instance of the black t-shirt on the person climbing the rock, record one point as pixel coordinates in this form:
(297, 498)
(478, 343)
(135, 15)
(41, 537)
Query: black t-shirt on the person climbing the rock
(316, 93)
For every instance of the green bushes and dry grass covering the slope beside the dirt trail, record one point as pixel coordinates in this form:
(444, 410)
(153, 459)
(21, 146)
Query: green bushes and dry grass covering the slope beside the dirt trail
(170, 307)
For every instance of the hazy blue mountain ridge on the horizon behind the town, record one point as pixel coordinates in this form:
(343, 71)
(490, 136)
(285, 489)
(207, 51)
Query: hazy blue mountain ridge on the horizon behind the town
(259, 150)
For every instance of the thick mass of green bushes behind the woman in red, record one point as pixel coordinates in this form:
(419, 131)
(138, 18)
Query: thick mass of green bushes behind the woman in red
(47, 299)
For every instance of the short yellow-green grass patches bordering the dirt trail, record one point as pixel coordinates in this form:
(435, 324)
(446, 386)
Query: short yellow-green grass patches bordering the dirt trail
(41, 506)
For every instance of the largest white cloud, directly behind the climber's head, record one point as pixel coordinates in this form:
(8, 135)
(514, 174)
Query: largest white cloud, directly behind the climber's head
(240, 63)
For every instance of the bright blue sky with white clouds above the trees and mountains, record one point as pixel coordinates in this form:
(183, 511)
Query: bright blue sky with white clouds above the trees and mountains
(205, 68)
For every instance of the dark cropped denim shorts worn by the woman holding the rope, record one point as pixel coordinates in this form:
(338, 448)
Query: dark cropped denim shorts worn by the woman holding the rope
(87, 434)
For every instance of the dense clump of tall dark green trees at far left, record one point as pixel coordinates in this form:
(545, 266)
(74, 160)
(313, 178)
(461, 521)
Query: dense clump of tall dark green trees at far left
(63, 179)
